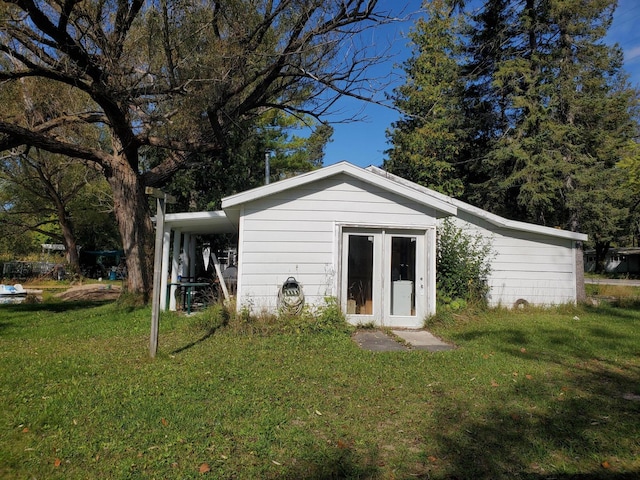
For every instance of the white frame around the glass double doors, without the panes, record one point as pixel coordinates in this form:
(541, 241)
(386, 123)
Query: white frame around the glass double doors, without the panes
(425, 272)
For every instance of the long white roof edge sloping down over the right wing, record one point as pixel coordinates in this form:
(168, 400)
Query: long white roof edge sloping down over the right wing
(493, 219)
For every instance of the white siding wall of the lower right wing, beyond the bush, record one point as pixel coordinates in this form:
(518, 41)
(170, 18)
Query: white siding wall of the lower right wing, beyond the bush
(537, 268)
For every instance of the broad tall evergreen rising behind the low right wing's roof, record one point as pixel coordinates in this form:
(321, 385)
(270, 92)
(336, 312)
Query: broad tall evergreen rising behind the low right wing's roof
(567, 121)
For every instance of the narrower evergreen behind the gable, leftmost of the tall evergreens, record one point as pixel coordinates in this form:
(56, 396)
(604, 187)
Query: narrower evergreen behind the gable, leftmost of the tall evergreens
(428, 139)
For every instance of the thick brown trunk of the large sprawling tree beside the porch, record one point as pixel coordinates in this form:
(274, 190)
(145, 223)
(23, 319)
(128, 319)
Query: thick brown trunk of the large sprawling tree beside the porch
(134, 222)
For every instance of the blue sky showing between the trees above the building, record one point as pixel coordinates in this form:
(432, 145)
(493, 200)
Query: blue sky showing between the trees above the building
(363, 142)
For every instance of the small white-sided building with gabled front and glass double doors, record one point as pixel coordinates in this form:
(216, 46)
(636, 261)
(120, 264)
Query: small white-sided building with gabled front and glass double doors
(368, 239)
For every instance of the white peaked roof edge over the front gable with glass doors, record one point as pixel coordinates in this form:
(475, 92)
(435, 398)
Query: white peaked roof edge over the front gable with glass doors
(440, 203)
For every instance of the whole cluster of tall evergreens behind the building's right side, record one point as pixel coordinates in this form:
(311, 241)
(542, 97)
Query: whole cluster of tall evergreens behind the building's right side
(533, 109)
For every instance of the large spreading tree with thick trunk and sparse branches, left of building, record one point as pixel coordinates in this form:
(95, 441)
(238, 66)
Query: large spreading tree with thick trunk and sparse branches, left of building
(177, 77)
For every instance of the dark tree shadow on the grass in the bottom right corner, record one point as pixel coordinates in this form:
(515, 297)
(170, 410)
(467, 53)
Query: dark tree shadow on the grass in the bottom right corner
(575, 425)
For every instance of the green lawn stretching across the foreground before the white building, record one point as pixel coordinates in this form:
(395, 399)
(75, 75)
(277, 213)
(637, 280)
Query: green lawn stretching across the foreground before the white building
(531, 394)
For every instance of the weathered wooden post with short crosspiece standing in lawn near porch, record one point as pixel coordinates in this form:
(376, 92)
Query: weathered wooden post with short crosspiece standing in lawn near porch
(161, 200)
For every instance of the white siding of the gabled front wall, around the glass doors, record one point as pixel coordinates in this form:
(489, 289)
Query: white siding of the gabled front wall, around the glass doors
(294, 233)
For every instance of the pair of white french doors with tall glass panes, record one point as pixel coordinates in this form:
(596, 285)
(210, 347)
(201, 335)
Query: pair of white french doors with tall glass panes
(383, 276)
